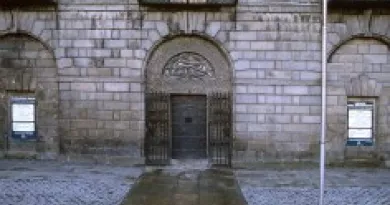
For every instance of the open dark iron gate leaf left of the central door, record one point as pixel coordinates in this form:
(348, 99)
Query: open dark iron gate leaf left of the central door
(157, 139)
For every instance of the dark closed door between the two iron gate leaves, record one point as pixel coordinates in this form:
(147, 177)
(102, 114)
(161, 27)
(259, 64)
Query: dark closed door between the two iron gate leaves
(189, 119)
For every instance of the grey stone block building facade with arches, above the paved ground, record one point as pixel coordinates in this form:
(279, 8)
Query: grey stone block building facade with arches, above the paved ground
(88, 66)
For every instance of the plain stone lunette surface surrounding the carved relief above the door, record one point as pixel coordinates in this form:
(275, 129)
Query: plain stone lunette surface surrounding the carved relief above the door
(175, 46)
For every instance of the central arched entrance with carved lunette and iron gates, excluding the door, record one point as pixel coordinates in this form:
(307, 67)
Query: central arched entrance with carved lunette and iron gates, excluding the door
(187, 66)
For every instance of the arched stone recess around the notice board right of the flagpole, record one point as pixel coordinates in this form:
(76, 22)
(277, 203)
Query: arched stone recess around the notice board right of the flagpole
(358, 70)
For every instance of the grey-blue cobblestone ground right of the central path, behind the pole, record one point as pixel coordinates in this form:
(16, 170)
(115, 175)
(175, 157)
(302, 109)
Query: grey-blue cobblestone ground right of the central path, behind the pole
(343, 187)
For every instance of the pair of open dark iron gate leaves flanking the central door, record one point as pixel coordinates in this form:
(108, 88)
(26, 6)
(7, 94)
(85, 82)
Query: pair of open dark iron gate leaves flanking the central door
(158, 148)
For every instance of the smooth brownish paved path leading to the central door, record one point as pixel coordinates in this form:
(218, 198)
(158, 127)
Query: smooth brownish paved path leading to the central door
(191, 187)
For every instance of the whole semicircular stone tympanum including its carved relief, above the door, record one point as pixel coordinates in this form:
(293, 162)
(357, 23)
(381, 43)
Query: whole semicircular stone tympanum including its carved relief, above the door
(188, 65)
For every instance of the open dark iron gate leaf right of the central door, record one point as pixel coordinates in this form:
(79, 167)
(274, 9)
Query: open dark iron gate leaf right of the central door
(220, 130)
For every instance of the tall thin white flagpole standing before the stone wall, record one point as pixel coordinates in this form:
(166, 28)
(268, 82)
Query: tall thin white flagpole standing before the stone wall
(323, 108)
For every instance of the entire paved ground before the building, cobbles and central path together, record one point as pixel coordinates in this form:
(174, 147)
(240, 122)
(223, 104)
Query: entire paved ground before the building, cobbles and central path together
(53, 183)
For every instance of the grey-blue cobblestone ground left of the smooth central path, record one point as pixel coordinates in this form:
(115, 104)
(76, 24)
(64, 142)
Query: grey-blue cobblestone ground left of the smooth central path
(52, 183)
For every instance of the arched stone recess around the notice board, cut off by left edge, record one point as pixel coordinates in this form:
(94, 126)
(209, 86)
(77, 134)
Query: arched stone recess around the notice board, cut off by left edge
(28, 68)
